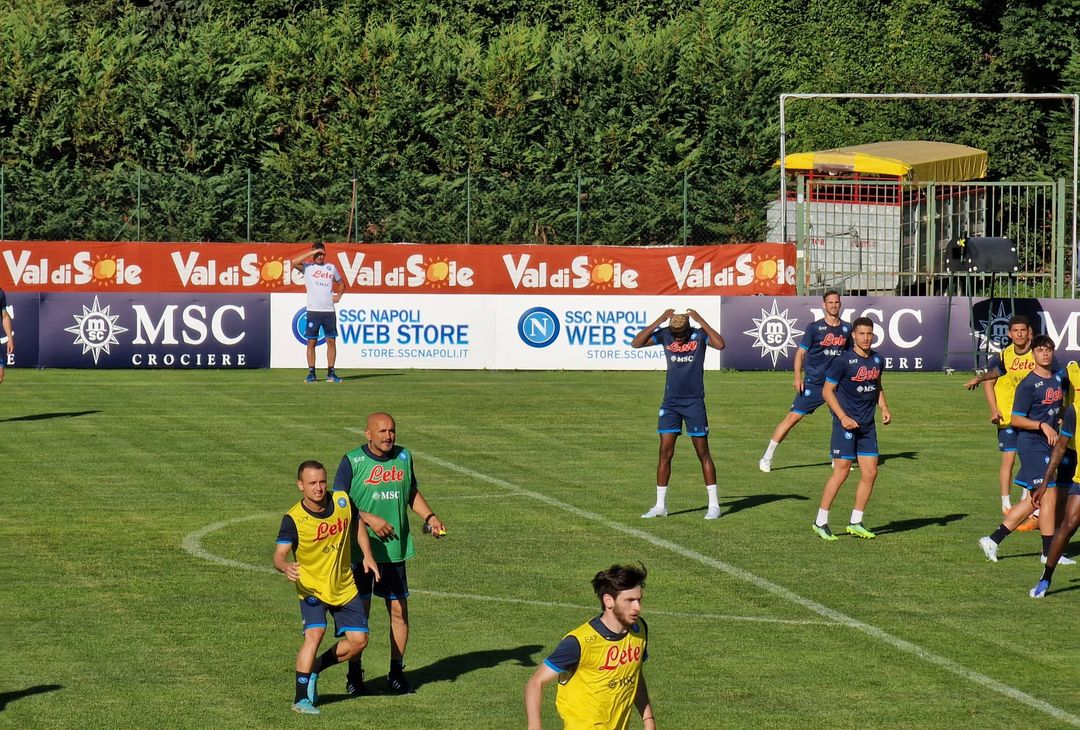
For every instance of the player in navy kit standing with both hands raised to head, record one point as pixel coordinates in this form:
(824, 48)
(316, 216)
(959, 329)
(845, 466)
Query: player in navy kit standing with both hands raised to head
(684, 399)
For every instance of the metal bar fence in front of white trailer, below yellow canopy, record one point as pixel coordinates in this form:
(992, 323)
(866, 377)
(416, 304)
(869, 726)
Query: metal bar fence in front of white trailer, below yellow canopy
(877, 236)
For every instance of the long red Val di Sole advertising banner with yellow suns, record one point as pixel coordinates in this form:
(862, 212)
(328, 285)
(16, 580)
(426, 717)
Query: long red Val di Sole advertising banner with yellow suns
(404, 268)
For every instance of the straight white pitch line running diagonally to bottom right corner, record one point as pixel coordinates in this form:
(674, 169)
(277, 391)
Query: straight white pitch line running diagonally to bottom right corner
(775, 589)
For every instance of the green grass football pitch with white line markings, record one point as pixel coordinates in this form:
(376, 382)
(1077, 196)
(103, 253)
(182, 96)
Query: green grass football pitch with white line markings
(141, 508)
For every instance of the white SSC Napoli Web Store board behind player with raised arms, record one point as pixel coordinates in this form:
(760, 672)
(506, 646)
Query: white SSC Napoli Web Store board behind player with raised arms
(558, 333)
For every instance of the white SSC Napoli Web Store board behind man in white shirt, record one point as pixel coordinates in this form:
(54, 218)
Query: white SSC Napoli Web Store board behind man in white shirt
(390, 332)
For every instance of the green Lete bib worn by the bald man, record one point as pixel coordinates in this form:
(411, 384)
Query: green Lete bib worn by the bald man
(383, 490)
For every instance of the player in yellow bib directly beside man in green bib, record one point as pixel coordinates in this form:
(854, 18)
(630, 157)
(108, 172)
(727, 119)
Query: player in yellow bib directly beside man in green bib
(318, 532)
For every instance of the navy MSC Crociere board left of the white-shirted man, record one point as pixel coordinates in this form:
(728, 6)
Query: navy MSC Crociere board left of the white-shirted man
(150, 331)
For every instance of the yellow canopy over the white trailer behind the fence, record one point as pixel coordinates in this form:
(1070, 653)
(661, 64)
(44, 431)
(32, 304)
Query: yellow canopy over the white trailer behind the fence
(926, 161)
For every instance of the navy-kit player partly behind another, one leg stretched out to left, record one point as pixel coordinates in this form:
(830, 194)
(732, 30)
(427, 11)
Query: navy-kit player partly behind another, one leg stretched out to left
(823, 341)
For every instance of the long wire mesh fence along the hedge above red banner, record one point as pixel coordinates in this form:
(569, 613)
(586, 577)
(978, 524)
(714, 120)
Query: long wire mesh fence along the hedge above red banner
(130, 204)
